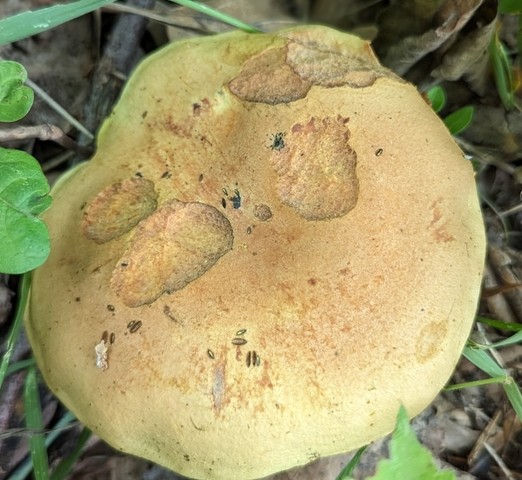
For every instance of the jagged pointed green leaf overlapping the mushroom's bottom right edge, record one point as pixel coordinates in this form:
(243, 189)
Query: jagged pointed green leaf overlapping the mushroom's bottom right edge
(409, 460)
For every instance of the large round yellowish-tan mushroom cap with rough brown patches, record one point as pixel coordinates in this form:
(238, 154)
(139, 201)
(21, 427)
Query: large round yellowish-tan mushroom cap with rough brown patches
(275, 245)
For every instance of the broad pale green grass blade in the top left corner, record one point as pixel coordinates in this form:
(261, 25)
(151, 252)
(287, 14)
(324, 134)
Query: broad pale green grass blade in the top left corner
(30, 23)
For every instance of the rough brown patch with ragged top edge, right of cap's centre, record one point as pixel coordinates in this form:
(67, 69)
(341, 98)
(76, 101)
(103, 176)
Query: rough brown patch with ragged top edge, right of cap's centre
(316, 169)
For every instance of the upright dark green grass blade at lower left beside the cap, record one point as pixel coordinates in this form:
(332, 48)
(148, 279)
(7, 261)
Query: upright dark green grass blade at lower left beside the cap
(34, 421)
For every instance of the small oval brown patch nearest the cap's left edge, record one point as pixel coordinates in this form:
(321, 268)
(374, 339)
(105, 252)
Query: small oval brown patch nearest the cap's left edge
(118, 208)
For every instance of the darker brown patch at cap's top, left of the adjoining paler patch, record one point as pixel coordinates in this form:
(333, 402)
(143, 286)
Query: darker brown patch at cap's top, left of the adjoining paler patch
(267, 78)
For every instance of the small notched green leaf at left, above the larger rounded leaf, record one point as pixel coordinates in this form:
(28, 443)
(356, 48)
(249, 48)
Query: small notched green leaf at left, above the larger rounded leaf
(15, 98)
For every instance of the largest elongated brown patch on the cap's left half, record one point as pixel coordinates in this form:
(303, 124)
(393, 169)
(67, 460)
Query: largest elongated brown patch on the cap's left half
(173, 247)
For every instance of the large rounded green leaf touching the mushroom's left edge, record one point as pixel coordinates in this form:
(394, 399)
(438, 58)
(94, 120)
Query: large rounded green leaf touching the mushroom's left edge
(23, 196)
